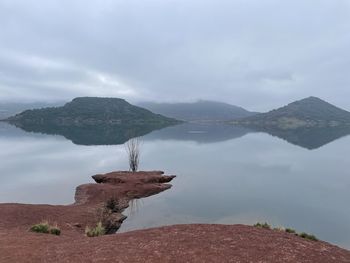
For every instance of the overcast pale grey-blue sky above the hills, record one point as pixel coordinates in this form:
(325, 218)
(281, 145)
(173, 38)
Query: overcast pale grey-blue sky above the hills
(259, 54)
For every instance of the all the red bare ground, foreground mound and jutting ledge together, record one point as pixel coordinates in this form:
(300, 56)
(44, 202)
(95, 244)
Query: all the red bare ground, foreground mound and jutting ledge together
(181, 243)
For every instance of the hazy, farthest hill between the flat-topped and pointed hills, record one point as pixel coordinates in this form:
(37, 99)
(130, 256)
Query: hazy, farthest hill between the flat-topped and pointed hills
(198, 111)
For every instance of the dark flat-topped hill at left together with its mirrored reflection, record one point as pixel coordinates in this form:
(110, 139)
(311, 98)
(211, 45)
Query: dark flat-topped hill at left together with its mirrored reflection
(92, 121)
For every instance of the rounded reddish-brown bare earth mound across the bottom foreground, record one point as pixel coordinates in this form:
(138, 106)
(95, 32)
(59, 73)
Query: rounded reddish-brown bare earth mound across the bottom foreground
(181, 243)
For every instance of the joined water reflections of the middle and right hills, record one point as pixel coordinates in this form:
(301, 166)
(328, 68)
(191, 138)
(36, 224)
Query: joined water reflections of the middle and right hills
(310, 138)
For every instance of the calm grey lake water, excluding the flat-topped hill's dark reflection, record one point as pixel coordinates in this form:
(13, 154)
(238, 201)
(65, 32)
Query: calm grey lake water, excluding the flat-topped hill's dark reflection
(224, 174)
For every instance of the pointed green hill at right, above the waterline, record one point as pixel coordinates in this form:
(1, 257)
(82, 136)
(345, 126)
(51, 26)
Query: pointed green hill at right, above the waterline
(309, 112)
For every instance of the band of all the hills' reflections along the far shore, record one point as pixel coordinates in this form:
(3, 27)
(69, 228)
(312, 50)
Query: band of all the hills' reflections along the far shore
(309, 137)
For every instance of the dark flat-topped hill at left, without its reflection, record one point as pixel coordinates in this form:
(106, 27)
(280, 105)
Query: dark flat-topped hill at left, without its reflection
(91, 111)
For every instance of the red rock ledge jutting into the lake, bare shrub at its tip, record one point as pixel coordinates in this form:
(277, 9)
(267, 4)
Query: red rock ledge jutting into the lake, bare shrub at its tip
(91, 203)
